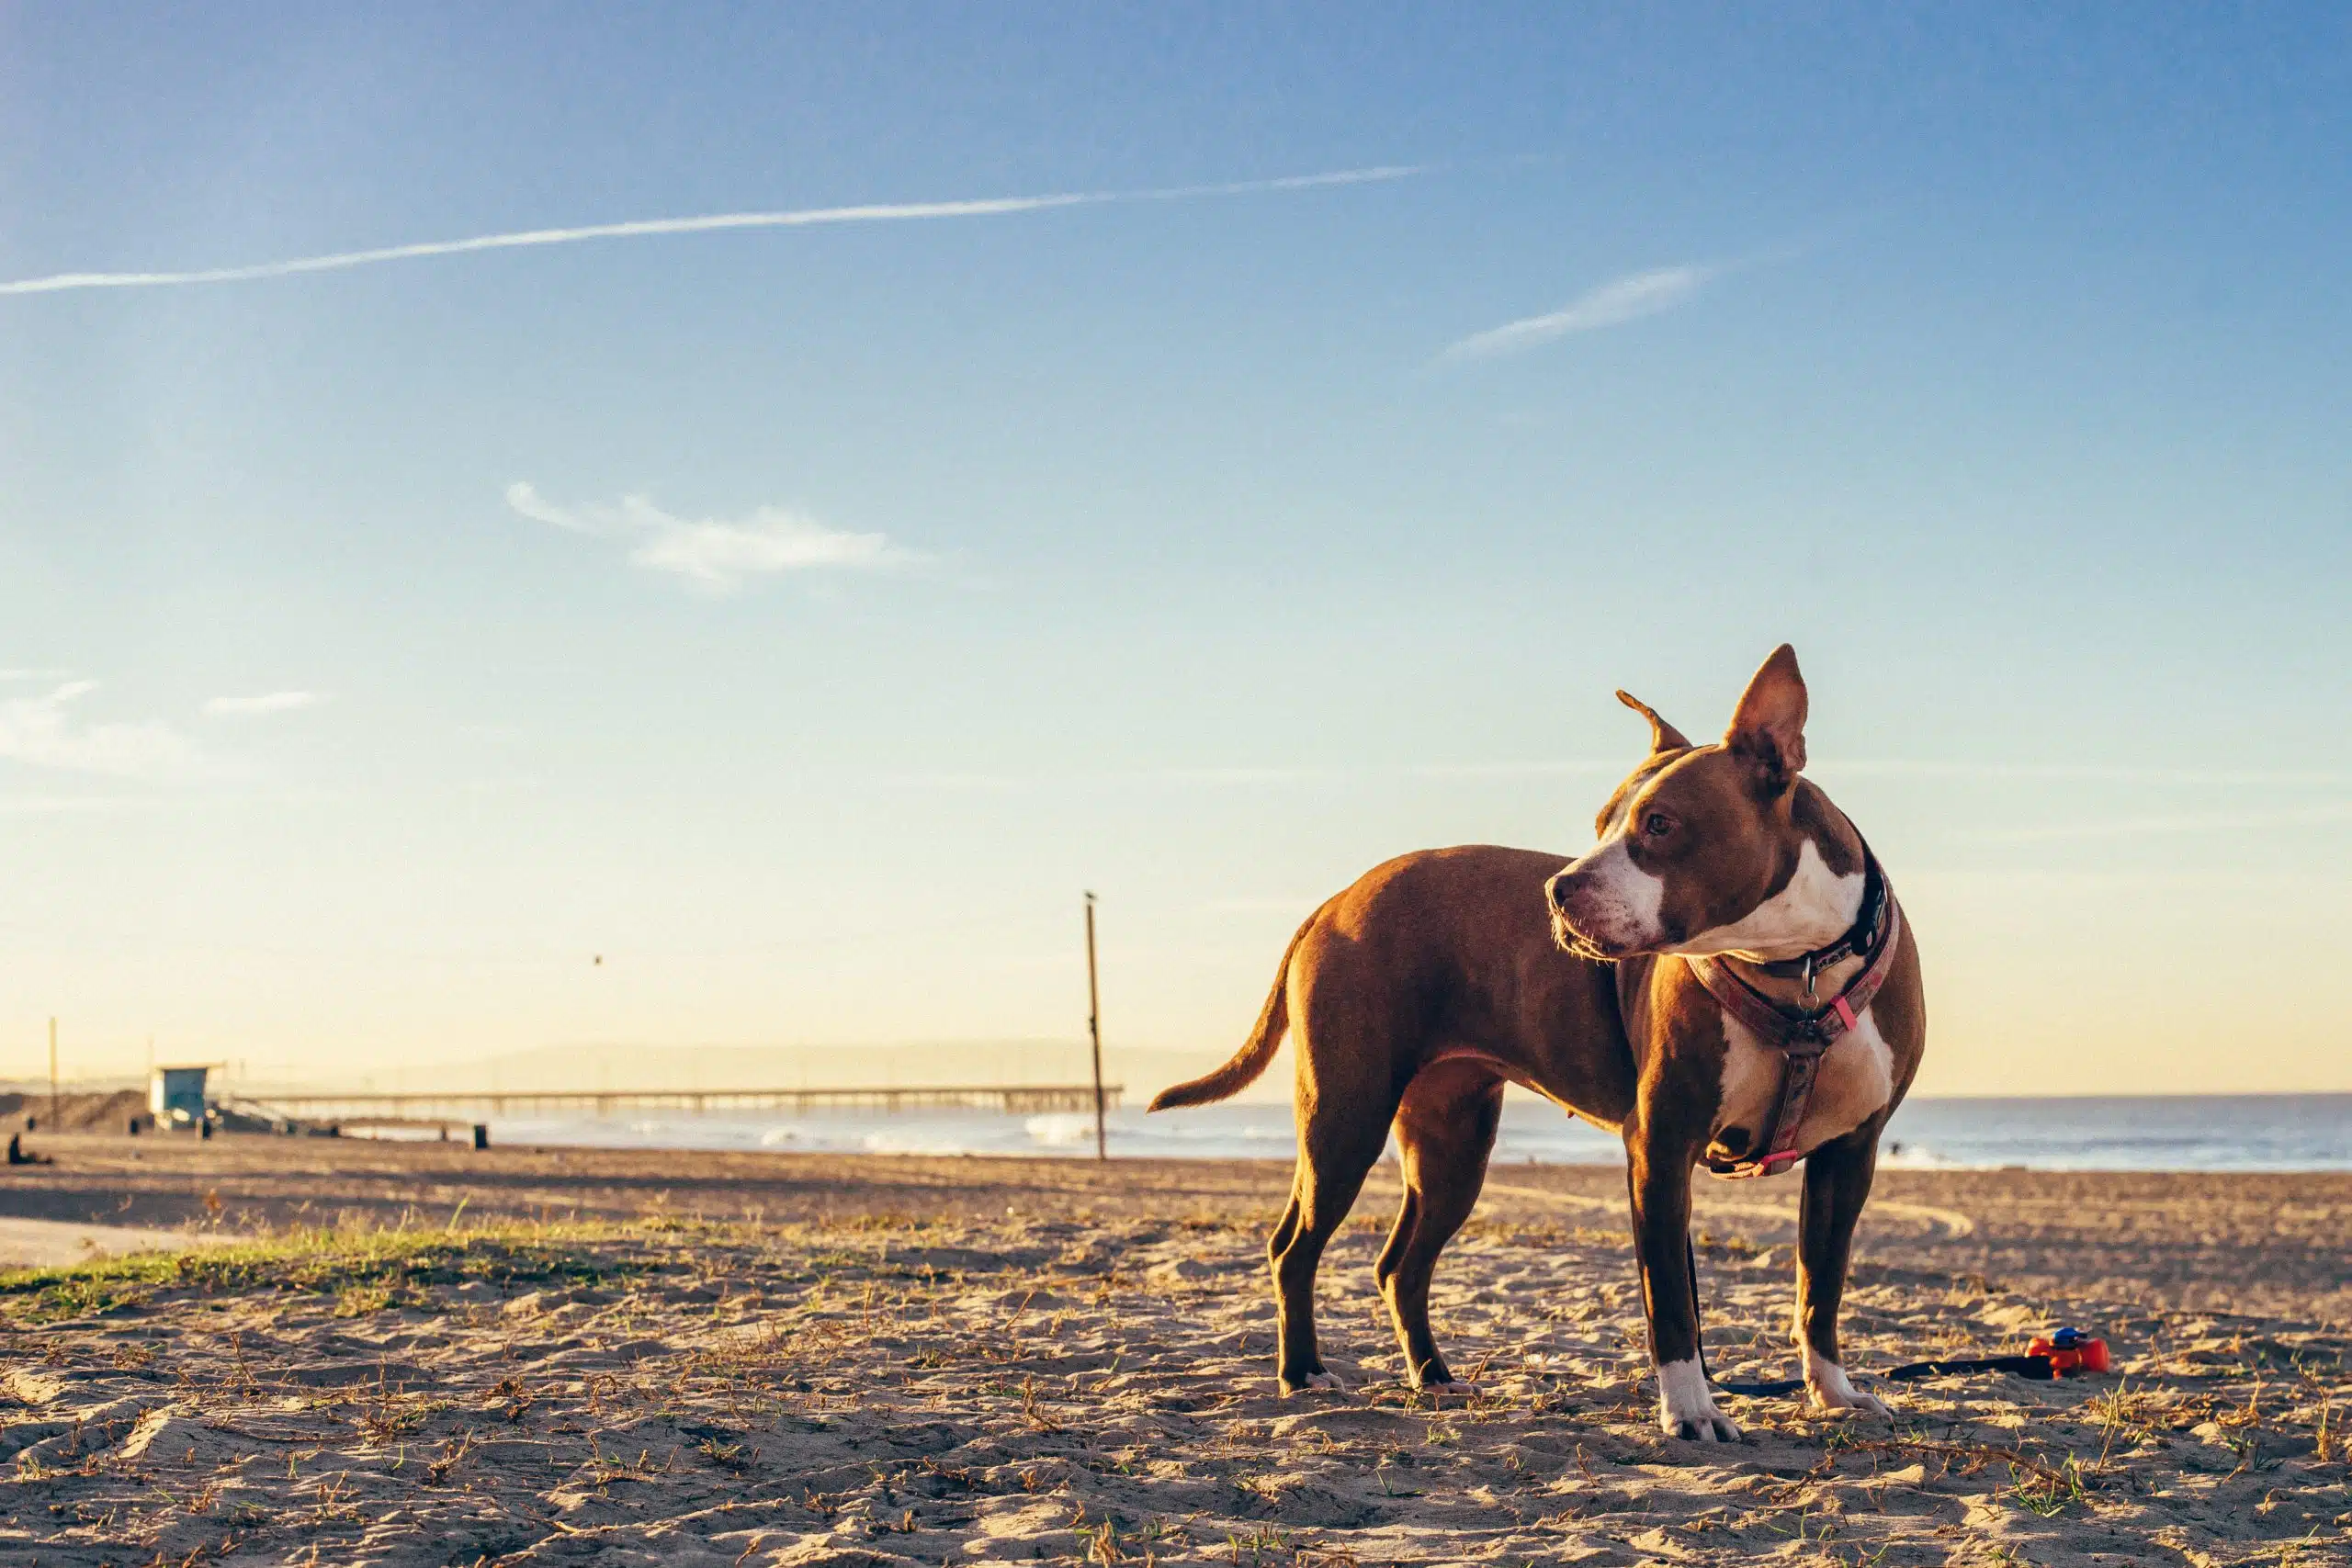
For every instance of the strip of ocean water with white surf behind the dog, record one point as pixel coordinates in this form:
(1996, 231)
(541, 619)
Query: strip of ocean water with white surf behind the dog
(2069, 1134)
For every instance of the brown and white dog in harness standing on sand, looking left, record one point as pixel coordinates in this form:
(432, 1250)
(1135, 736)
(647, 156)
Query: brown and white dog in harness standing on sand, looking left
(1624, 989)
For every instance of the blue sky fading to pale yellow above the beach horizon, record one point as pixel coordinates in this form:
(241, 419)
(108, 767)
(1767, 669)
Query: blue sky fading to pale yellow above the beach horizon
(883, 584)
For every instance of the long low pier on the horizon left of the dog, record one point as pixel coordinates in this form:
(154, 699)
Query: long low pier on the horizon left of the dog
(427, 1106)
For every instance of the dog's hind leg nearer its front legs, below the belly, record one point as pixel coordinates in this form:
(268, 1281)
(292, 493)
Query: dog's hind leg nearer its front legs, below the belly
(1445, 1134)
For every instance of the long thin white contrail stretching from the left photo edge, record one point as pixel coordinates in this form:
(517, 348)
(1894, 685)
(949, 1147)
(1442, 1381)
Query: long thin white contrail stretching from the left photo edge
(808, 217)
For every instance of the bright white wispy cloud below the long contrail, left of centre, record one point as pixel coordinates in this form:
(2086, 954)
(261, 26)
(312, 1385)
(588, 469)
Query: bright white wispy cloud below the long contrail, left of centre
(714, 554)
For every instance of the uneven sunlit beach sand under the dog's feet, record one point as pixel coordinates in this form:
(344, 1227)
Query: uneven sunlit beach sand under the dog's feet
(827, 1360)
